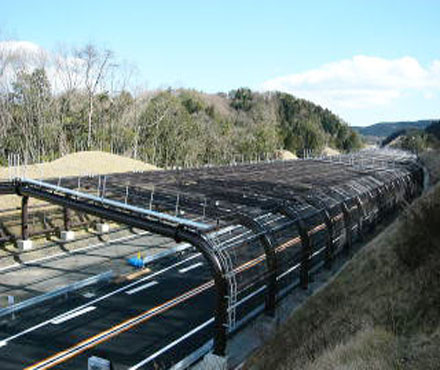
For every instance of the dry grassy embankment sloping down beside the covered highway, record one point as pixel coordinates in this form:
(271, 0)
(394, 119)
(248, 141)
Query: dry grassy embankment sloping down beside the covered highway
(383, 309)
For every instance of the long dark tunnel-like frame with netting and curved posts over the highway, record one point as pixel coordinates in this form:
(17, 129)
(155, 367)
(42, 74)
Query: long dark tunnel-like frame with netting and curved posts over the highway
(264, 228)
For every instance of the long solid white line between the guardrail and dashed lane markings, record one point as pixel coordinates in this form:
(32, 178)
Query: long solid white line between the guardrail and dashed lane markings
(105, 296)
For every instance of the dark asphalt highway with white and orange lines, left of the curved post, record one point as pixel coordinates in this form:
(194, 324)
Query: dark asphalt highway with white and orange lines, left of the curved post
(126, 323)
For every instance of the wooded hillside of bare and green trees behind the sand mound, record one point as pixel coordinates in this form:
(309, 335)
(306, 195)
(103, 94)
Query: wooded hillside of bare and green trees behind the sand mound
(91, 108)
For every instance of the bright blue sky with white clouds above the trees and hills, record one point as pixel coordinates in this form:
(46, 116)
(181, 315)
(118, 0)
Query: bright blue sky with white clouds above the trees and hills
(367, 61)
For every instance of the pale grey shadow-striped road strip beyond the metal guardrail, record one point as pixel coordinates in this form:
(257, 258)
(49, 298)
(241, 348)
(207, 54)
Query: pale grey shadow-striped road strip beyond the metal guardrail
(52, 272)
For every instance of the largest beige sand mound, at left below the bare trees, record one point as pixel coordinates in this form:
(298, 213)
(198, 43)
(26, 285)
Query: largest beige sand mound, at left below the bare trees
(82, 164)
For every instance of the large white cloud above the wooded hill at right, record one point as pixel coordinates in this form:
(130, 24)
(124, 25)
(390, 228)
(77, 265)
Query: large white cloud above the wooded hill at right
(361, 82)
